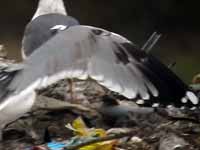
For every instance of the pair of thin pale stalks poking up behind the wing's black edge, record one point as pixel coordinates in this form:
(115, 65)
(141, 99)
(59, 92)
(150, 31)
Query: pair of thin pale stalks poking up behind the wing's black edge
(151, 42)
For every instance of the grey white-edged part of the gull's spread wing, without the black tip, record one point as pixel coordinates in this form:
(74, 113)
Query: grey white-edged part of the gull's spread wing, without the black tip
(82, 52)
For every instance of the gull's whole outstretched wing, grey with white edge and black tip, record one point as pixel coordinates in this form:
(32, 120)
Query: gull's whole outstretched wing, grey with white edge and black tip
(113, 61)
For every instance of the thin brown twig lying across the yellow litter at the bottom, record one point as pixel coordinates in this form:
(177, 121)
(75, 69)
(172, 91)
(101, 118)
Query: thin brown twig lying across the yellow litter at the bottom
(108, 138)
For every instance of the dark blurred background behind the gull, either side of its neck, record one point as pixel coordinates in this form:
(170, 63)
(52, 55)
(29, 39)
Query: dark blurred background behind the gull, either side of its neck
(177, 20)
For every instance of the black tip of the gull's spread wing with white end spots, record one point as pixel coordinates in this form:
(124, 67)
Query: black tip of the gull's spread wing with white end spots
(172, 90)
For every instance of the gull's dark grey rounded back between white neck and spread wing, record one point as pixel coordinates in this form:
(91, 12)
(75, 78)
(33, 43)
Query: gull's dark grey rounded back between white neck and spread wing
(39, 30)
